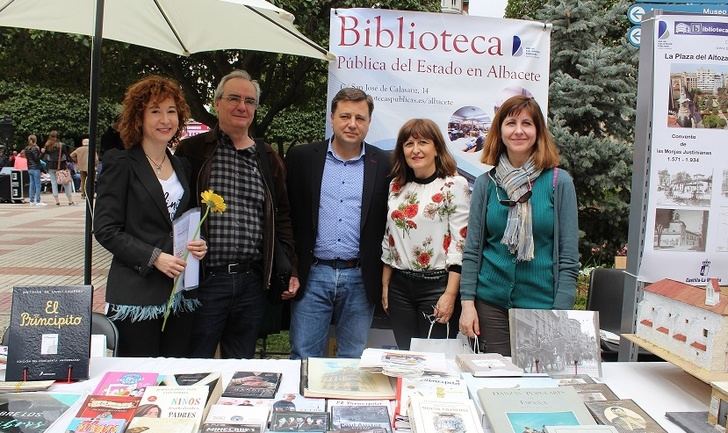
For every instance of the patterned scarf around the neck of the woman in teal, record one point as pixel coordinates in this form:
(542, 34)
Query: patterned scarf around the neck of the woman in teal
(518, 236)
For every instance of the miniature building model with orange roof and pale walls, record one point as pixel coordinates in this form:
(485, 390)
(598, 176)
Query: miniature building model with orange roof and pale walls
(674, 316)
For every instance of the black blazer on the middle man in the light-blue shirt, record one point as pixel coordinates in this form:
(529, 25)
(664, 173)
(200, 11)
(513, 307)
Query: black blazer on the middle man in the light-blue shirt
(305, 166)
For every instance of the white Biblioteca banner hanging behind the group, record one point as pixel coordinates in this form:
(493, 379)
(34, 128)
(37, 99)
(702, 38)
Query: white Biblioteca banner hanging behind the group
(453, 69)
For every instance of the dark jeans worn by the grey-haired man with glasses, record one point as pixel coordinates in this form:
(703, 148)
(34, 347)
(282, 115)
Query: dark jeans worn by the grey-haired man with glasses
(232, 312)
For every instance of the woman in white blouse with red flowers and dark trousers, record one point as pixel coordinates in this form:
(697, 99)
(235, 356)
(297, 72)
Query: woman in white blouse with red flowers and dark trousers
(423, 243)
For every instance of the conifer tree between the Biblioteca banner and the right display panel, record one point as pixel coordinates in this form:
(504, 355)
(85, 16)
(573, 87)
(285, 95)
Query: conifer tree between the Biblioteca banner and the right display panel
(592, 99)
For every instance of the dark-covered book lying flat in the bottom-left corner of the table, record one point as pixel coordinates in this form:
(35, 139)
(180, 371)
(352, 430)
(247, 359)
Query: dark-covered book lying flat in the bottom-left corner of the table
(33, 412)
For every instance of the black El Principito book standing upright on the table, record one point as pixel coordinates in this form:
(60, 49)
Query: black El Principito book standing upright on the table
(50, 333)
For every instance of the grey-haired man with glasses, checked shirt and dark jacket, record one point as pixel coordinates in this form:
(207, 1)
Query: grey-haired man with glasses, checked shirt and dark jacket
(238, 265)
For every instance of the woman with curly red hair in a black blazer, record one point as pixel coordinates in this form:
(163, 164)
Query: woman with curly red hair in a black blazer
(144, 190)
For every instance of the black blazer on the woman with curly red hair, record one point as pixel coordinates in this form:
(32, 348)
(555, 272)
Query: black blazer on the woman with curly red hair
(132, 220)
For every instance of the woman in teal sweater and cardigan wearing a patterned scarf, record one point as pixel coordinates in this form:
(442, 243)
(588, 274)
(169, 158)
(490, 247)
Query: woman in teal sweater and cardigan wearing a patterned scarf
(521, 250)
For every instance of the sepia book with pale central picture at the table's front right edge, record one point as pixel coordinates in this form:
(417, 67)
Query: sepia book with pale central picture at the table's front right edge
(623, 415)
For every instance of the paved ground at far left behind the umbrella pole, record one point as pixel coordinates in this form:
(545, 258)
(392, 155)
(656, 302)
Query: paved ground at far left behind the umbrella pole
(44, 246)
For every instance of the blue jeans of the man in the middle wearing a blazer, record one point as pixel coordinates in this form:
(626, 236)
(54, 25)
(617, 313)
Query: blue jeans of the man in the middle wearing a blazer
(331, 292)
